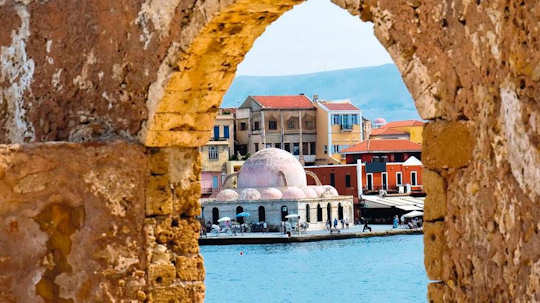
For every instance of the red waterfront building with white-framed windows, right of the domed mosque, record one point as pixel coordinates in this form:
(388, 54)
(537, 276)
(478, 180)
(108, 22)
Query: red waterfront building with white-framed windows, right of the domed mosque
(389, 166)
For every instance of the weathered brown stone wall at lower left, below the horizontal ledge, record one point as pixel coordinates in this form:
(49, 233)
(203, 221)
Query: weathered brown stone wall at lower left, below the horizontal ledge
(75, 229)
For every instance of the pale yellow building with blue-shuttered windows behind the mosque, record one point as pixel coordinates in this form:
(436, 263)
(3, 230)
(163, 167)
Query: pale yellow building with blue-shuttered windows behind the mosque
(339, 125)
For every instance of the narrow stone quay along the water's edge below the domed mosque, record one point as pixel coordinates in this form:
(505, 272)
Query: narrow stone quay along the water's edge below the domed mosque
(275, 237)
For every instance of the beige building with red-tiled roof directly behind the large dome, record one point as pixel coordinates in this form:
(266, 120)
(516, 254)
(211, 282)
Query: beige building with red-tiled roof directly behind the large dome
(285, 122)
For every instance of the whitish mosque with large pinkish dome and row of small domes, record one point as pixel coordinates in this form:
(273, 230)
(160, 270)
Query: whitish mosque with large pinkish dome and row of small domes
(272, 184)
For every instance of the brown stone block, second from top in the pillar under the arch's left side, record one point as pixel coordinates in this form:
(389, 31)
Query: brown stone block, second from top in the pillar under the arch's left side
(158, 196)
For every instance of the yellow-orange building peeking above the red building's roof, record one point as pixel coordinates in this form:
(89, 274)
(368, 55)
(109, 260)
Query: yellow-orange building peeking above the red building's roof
(408, 129)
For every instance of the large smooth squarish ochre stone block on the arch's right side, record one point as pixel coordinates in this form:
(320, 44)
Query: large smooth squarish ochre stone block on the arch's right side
(447, 145)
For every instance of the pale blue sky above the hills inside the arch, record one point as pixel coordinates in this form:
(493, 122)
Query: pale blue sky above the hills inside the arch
(314, 36)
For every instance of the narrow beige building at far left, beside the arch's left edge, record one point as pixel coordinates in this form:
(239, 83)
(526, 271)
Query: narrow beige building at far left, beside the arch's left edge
(217, 152)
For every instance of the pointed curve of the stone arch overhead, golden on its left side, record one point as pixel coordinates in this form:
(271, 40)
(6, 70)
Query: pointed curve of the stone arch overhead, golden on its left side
(183, 103)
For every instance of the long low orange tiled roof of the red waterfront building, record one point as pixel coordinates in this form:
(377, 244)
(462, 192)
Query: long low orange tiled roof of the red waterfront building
(391, 145)
